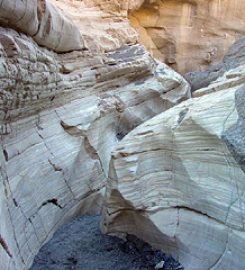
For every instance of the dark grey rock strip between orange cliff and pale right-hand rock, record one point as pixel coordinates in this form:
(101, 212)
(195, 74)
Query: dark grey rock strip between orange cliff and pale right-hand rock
(234, 58)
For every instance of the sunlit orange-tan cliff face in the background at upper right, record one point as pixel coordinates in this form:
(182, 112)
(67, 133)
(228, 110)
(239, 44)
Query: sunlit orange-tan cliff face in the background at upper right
(188, 35)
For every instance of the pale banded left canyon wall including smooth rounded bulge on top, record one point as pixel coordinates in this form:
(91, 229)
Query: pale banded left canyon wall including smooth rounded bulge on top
(61, 114)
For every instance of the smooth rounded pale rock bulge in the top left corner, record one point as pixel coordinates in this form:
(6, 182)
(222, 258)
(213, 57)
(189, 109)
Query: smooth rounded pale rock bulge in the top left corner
(42, 21)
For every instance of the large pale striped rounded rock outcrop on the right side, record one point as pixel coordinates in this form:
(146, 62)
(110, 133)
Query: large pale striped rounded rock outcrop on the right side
(178, 180)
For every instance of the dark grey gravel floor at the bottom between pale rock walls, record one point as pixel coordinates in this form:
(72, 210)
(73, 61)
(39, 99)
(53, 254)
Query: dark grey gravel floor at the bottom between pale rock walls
(80, 245)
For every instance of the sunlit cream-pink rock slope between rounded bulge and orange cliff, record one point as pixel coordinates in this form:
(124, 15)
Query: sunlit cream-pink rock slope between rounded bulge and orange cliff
(106, 21)
